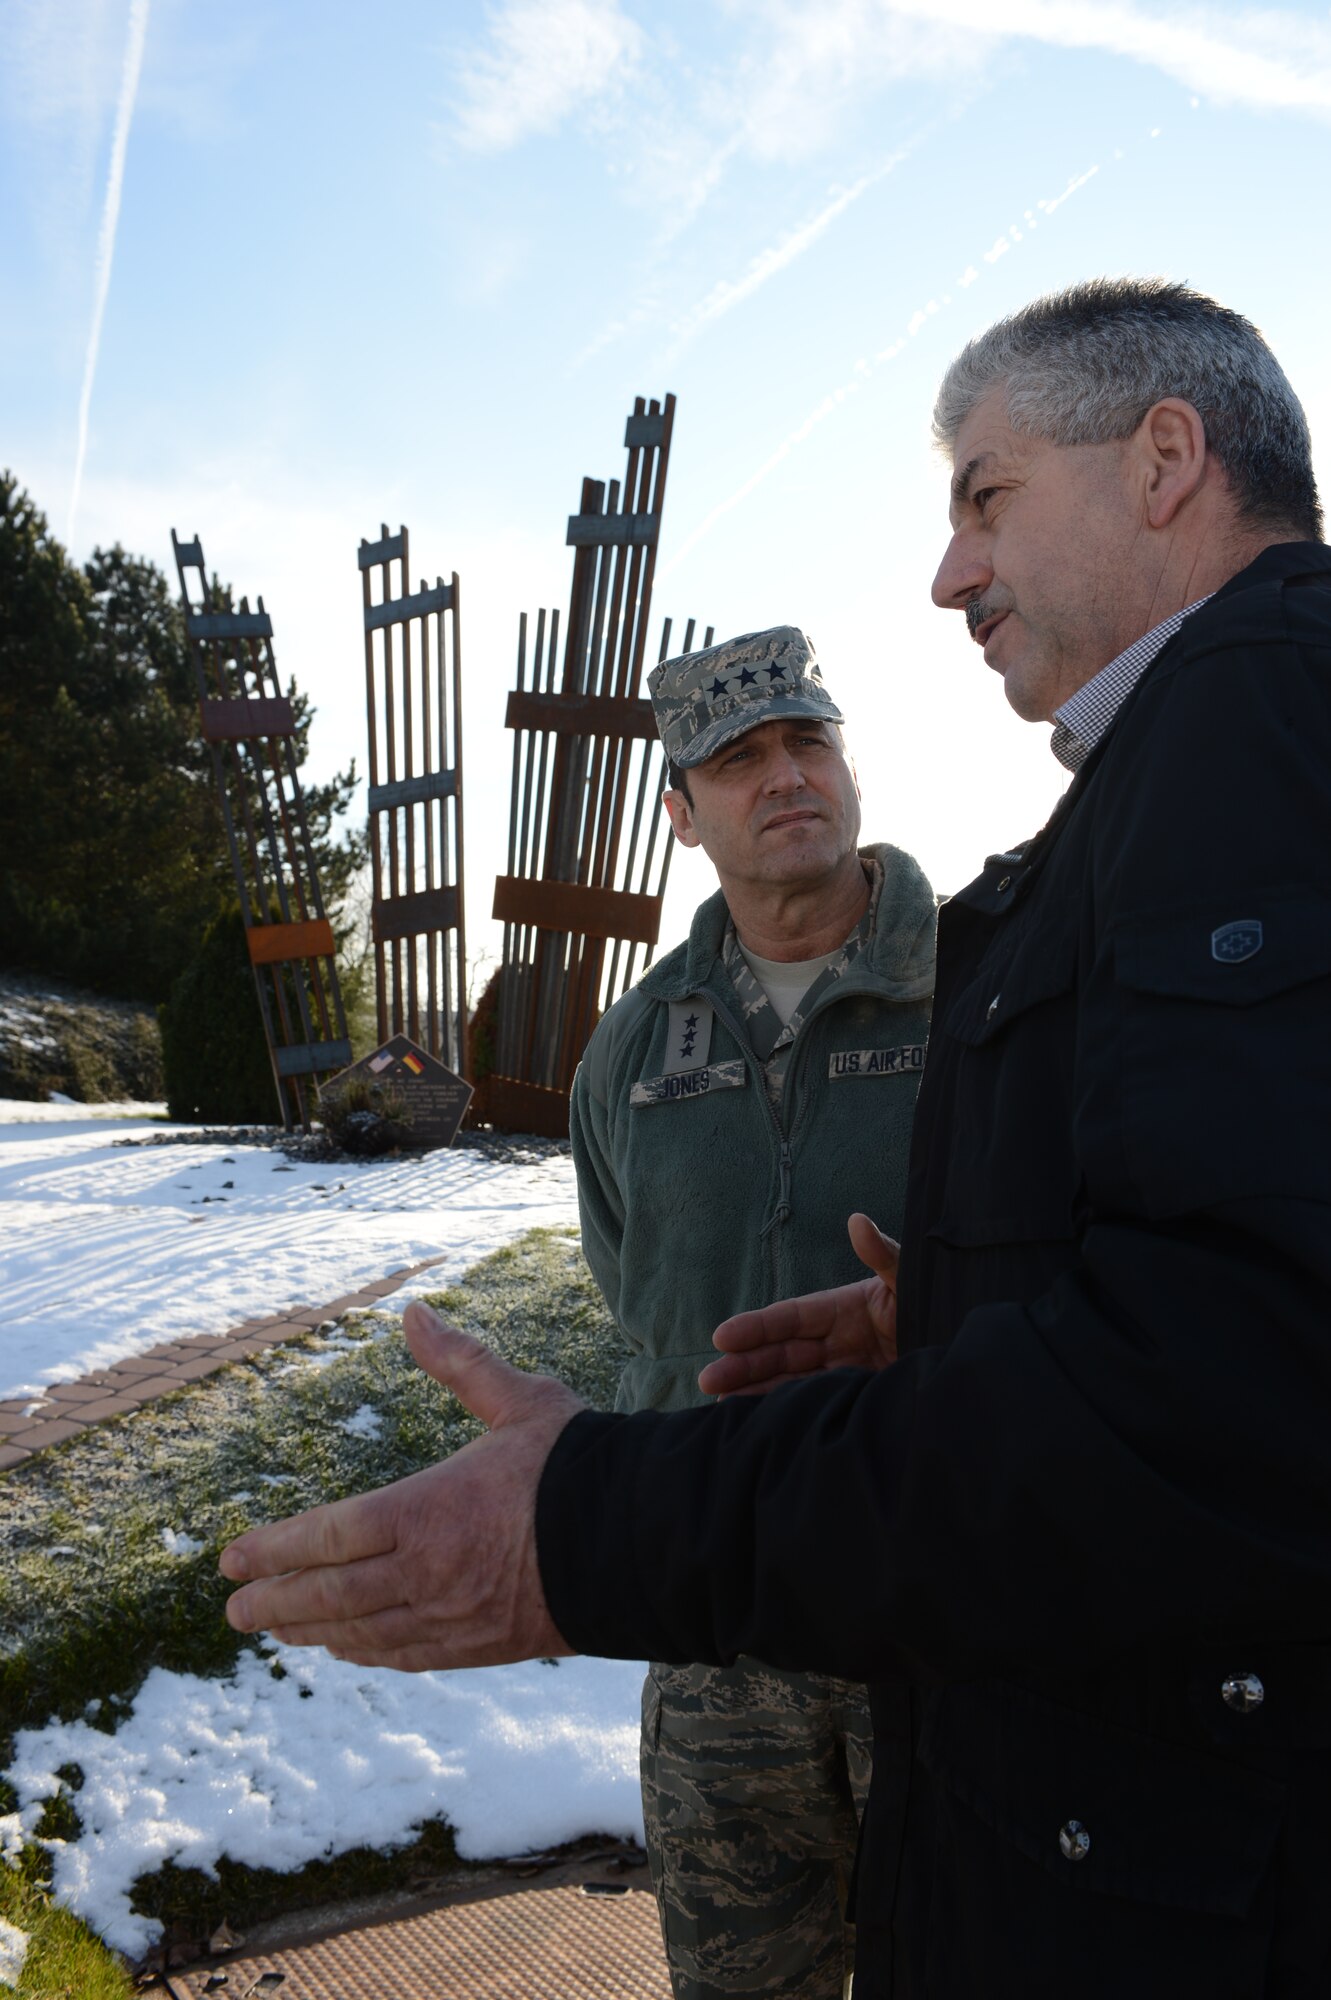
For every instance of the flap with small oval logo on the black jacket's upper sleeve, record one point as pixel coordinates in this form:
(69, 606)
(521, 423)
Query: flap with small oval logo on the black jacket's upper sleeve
(1248, 949)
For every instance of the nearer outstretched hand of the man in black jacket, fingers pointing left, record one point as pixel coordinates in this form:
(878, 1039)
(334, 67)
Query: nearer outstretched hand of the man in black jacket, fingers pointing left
(439, 1569)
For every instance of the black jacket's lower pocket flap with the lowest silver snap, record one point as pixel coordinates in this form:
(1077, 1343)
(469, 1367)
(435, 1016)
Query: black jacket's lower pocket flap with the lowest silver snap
(1144, 1819)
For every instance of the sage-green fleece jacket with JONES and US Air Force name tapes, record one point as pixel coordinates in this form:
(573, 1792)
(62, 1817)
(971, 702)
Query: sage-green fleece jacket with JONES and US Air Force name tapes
(700, 1199)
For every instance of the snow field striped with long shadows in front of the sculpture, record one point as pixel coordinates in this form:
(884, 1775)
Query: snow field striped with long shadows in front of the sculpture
(107, 1251)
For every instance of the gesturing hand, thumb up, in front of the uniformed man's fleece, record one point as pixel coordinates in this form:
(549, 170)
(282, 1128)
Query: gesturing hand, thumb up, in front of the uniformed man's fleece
(848, 1327)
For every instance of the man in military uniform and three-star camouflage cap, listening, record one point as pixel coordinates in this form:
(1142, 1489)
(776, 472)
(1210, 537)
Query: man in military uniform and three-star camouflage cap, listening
(730, 1113)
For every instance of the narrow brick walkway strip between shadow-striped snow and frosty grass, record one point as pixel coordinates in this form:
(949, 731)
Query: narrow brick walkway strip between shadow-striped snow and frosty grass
(31, 1423)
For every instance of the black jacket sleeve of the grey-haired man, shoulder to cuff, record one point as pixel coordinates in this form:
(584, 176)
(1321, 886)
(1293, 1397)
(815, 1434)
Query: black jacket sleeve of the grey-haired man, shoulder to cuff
(1142, 1453)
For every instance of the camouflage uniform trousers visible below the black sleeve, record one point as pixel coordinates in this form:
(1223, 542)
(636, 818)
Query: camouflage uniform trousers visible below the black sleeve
(752, 1785)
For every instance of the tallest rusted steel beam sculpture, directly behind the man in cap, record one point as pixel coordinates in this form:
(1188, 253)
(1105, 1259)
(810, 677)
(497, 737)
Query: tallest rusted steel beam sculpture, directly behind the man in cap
(579, 903)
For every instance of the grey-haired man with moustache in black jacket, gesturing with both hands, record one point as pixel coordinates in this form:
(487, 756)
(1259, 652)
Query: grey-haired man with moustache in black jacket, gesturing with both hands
(1080, 1533)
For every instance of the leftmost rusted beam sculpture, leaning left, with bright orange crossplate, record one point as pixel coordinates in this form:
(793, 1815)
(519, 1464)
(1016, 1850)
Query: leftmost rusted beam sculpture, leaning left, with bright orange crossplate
(251, 729)
